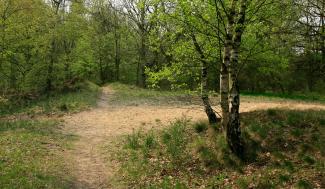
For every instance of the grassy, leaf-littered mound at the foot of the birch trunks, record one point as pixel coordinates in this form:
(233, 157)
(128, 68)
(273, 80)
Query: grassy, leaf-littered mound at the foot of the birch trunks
(284, 149)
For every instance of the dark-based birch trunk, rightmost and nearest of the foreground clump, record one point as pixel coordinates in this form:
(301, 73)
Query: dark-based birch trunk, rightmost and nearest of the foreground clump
(233, 128)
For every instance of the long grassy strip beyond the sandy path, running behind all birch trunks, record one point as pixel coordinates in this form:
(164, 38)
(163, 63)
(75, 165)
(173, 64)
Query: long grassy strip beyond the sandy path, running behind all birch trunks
(132, 95)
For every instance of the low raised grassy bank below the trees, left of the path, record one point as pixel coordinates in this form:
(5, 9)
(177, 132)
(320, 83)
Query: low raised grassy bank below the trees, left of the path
(84, 97)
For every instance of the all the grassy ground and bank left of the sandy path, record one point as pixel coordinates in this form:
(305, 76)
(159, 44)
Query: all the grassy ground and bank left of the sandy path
(32, 149)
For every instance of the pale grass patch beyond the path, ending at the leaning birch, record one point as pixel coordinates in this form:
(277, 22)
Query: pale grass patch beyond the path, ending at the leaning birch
(132, 95)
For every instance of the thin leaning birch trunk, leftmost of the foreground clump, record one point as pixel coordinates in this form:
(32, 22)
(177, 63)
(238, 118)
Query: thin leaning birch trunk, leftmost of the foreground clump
(204, 84)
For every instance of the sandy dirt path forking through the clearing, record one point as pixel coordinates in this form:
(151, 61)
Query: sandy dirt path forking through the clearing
(102, 124)
